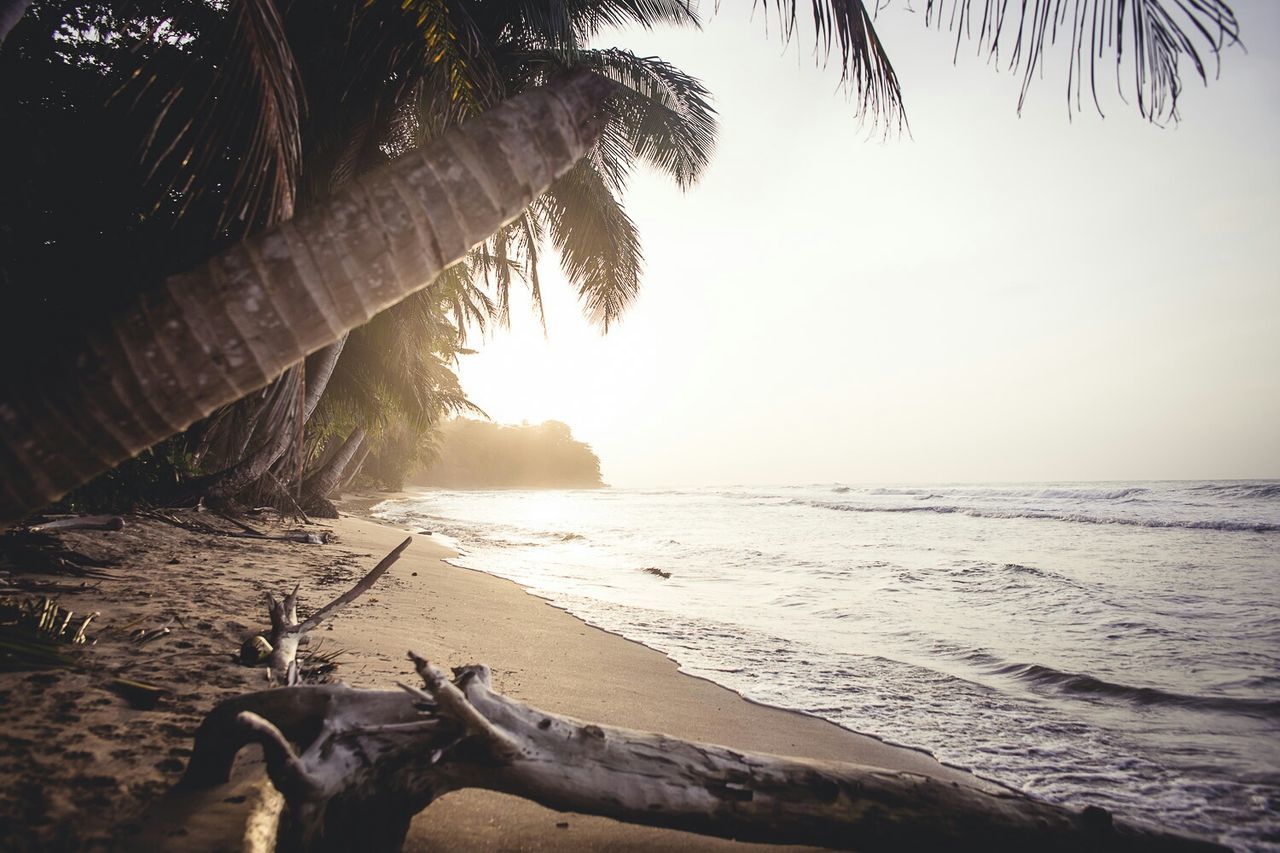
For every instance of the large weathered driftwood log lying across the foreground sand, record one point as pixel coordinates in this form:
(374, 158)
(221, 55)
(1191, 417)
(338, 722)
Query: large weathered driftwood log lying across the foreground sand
(354, 768)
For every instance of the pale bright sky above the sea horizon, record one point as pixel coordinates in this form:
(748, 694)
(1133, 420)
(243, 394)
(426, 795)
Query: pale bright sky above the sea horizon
(994, 298)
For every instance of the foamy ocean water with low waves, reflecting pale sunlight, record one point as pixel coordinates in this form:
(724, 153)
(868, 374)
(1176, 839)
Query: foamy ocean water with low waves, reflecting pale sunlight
(1090, 644)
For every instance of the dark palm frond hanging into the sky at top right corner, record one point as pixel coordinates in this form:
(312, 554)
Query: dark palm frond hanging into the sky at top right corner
(1150, 39)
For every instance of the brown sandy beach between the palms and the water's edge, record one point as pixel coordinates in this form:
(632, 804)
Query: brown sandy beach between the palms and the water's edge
(84, 769)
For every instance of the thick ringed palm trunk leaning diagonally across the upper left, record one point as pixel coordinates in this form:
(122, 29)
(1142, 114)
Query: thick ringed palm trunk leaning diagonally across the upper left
(216, 334)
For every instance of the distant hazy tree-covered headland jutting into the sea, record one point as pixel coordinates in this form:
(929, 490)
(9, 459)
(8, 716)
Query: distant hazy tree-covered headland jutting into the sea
(481, 455)
